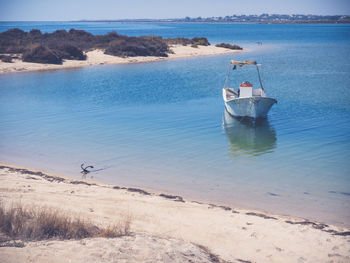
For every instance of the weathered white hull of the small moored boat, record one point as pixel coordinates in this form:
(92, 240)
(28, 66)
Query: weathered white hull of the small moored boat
(253, 107)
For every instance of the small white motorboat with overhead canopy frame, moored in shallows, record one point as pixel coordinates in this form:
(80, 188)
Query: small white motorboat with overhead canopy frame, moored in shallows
(246, 101)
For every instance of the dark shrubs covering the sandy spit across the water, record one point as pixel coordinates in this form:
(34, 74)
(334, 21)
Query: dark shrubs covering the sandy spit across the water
(53, 48)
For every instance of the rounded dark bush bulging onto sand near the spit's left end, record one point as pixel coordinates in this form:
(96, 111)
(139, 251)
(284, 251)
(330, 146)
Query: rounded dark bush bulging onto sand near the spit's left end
(42, 54)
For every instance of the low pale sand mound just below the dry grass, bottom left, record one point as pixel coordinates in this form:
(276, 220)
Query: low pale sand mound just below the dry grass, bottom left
(135, 248)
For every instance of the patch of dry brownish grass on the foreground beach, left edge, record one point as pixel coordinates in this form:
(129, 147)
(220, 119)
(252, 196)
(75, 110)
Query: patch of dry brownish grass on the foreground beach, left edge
(17, 222)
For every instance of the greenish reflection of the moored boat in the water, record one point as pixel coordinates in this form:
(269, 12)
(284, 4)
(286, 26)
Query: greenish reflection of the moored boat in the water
(249, 136)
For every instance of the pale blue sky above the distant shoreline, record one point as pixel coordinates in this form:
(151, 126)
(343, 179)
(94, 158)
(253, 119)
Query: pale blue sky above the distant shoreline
(52, 10)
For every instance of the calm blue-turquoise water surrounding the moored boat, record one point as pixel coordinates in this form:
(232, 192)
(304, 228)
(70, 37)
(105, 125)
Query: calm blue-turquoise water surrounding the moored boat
(163, 126)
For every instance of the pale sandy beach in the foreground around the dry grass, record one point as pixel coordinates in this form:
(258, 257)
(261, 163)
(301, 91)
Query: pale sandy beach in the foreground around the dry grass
(164, 227)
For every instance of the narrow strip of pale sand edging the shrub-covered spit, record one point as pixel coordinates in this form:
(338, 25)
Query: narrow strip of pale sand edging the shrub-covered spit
(97, 57)
